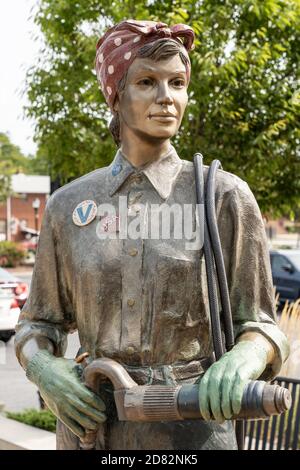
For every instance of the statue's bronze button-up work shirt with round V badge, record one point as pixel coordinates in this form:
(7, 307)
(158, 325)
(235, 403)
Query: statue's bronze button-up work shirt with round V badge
(144, 301)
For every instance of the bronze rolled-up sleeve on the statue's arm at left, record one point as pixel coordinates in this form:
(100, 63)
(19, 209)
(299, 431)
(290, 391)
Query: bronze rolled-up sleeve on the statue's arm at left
(48, 311)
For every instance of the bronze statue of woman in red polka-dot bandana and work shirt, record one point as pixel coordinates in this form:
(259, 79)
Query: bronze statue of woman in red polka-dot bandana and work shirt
(142, 301)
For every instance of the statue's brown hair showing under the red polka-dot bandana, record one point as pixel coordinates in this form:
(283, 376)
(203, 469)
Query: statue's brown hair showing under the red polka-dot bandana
(161, 49)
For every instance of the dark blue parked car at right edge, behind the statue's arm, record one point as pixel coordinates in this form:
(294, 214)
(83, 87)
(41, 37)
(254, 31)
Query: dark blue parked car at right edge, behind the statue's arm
(286, 273)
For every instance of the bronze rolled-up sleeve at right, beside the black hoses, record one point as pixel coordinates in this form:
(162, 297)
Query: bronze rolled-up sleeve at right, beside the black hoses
(247, 262)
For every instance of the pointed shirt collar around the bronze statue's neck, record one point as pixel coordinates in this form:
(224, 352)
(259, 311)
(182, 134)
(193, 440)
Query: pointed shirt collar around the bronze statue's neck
(161, 173)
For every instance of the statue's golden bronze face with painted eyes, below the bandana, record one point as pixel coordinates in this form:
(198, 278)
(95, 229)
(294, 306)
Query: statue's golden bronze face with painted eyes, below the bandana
(154, 99)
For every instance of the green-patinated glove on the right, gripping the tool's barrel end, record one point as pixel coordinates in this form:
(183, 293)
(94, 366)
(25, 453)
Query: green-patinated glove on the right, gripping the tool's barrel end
(221, 388)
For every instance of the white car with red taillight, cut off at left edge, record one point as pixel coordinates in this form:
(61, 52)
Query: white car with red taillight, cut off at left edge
(9, 314)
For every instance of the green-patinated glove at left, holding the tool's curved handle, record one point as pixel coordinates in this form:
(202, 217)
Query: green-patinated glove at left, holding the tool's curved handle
(67, 397)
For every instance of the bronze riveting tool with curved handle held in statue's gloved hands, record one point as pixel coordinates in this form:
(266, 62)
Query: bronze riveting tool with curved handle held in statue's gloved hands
(168, 403)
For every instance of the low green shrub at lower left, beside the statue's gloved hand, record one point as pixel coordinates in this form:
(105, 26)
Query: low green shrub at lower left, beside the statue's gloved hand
(43, 419)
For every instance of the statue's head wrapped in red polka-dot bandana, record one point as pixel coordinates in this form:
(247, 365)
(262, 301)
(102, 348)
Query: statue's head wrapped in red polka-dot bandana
(143, 69)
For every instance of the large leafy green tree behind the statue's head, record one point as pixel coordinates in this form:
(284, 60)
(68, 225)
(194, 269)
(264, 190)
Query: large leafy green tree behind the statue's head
(244, 101)
